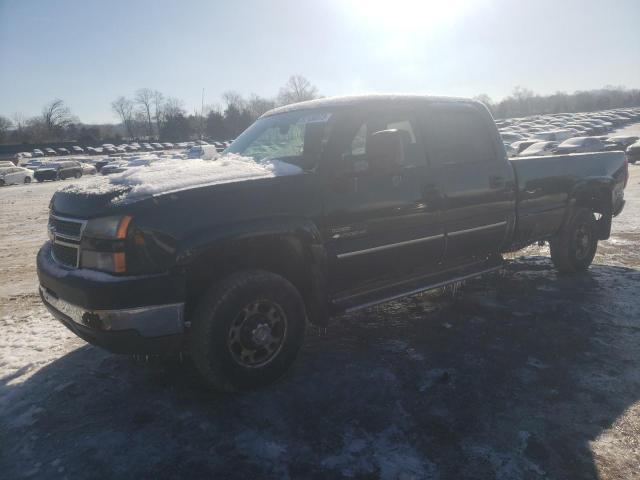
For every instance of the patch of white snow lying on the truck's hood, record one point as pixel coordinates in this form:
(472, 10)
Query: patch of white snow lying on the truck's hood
(166, 176)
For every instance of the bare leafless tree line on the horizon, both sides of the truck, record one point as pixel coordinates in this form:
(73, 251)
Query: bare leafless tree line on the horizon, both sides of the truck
(150, 115)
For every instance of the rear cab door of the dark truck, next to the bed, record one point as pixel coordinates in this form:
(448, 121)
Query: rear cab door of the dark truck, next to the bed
(476, 181)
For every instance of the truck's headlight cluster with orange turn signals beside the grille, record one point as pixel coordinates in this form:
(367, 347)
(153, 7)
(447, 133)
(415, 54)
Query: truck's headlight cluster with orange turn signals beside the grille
(103, 244)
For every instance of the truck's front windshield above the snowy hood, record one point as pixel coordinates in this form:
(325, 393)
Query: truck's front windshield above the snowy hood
(280, 137)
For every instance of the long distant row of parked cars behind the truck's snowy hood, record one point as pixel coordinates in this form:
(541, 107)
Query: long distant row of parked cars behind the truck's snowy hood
(111, 149)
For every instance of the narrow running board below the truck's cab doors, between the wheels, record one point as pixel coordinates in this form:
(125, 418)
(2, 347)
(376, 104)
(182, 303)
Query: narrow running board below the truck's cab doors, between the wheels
(351, 304)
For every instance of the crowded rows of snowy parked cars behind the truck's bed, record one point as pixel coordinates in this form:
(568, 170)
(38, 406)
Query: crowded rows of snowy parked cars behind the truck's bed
(563, 133)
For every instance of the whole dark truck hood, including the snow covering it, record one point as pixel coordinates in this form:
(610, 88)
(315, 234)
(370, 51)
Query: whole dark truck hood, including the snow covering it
(104, 195)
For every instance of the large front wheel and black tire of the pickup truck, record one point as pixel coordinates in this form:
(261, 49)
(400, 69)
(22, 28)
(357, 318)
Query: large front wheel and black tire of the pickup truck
(247, 330)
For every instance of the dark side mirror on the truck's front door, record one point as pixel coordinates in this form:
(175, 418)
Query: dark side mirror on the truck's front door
(386, 151)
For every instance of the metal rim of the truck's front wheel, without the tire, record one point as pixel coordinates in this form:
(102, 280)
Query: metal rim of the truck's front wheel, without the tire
(257, 333)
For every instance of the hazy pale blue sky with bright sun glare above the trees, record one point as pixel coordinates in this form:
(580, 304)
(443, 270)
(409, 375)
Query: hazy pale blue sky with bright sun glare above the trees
(89, 52)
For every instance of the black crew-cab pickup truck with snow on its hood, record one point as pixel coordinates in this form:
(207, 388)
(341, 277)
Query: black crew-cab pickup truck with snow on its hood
(318, 208)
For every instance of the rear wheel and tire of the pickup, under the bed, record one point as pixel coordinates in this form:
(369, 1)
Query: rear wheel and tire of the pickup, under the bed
(573, 249)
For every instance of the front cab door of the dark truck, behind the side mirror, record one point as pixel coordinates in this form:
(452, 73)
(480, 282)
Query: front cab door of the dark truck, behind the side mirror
(379, 227)
